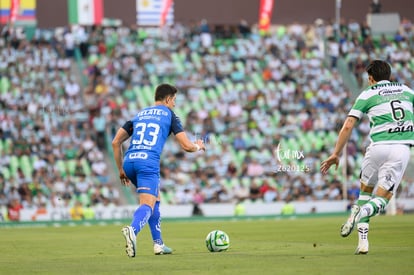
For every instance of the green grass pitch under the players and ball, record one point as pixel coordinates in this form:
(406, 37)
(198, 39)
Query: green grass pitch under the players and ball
(258, 246)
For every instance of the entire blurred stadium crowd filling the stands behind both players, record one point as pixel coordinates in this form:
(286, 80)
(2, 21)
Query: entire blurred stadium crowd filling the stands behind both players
(268, 108)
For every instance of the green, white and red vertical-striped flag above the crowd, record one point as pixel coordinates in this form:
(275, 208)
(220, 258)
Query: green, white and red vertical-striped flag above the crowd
(85, 12)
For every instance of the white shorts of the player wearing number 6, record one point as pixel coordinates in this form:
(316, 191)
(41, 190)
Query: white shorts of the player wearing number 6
(384, 165)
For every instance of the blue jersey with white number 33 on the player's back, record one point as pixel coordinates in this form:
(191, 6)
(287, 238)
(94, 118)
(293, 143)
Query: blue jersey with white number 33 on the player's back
(149, 130)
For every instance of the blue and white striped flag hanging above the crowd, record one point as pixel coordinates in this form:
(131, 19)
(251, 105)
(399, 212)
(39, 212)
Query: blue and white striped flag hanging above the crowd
(149, 13)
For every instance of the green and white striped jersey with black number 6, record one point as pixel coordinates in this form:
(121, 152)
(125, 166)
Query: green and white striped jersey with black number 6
(389, 107)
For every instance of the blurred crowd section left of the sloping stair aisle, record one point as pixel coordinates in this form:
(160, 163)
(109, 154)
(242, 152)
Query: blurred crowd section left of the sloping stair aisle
(49, 154)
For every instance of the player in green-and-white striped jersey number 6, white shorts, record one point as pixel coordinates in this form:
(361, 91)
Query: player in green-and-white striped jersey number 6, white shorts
(389, 107)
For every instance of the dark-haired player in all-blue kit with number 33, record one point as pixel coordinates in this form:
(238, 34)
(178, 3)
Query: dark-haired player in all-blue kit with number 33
(149, 130)
